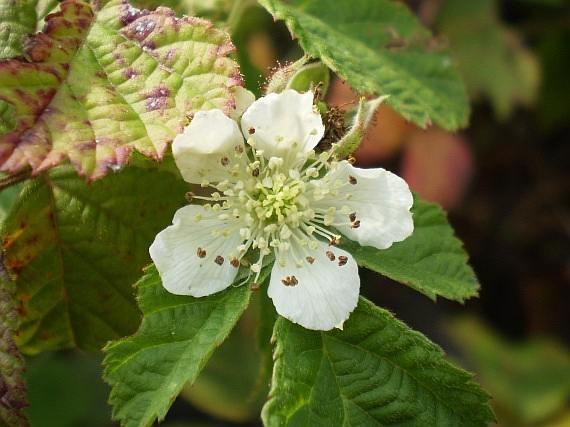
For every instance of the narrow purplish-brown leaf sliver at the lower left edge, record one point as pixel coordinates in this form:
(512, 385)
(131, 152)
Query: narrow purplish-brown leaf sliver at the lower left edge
(12, 386)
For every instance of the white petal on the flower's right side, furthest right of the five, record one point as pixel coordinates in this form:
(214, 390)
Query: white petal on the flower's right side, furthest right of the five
(380, 199)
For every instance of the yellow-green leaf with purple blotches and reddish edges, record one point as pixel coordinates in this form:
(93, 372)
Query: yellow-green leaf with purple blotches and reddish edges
(100, 84)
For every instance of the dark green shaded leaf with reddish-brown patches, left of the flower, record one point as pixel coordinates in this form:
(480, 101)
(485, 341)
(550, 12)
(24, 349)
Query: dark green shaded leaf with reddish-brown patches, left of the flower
(77, 248)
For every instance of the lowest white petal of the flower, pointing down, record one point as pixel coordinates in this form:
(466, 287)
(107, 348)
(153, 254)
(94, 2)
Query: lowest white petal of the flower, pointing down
(326, 292)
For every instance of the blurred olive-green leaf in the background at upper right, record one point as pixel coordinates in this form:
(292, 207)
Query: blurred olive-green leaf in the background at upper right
(510, 73)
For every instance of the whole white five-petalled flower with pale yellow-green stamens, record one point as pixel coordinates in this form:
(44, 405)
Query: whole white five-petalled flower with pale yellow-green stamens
(274, 198)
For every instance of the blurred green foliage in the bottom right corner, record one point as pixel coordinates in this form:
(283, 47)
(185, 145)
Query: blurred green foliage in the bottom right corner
(529, 381)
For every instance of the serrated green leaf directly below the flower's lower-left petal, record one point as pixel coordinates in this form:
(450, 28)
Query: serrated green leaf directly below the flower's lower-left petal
(177, 336)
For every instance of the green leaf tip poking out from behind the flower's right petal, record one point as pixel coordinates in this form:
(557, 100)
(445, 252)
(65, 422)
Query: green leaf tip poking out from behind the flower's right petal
(432, 260)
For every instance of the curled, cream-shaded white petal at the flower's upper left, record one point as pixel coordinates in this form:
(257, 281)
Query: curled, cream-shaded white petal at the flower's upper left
(203, 150)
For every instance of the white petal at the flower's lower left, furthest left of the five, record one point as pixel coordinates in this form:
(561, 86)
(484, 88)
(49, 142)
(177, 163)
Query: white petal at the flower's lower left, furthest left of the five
(175, 253)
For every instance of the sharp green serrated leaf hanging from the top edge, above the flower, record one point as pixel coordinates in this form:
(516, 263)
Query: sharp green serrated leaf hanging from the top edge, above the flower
(379, 47)
